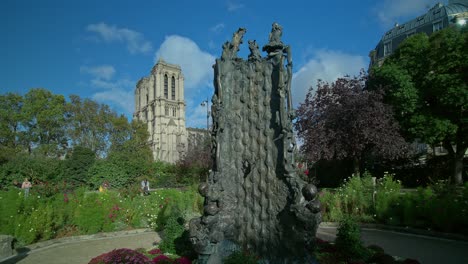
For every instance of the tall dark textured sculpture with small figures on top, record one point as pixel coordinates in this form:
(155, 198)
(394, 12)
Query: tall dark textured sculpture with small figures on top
(253, 197)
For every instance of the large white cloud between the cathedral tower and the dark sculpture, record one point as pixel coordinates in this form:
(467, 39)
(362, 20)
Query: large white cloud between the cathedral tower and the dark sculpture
(196, 64)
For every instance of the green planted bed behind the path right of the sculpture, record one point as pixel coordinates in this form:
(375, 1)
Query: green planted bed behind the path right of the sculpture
(437, 207)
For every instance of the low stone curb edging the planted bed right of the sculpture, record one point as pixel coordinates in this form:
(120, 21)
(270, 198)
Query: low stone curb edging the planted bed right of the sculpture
(401, 229)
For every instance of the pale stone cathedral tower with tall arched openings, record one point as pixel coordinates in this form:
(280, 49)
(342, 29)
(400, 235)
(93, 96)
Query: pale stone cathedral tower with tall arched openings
(159, 101)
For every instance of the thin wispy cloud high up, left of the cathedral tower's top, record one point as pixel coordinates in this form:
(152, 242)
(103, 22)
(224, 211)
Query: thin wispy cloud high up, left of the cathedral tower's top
(136, 42)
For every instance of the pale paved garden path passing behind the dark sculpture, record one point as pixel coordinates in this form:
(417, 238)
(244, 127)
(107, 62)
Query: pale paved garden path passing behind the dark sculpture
(80, 250)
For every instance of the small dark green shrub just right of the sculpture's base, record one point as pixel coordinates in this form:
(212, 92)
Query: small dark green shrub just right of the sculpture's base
(348, 240)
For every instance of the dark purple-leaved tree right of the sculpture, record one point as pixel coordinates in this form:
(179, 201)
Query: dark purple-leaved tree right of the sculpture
(343, 120)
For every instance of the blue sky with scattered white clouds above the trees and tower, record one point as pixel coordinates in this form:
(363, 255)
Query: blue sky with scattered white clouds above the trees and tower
(100, 49)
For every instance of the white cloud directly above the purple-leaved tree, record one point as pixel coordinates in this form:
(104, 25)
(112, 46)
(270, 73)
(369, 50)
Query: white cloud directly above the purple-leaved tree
(326, 65)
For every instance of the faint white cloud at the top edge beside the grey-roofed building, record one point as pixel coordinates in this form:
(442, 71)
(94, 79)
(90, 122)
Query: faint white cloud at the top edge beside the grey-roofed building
(389, 11)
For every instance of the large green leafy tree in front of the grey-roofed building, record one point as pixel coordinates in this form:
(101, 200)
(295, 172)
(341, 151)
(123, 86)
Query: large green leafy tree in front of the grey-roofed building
(426, 83)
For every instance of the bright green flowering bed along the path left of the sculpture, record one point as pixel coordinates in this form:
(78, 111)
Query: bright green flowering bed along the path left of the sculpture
(39, 218)
